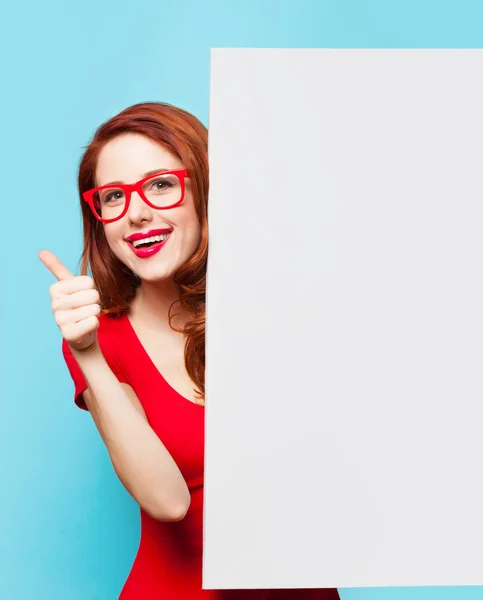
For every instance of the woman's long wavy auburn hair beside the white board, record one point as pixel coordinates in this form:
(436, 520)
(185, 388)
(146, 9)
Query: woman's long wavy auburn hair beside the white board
(185, 136)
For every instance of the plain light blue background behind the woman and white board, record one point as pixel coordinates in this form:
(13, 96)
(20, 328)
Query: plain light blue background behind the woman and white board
(69, 530)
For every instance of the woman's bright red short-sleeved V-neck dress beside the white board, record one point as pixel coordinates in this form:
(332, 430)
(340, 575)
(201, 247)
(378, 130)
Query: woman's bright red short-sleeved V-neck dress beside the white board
(168, 564)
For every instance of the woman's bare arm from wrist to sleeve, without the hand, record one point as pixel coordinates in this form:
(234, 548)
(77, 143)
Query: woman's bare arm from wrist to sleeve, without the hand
(141, 461)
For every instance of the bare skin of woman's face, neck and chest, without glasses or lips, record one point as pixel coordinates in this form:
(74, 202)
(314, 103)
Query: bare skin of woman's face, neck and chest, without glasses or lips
(127, 158)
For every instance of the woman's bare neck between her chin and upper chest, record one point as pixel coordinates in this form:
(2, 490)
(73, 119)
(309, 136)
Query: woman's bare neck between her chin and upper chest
(152, 303)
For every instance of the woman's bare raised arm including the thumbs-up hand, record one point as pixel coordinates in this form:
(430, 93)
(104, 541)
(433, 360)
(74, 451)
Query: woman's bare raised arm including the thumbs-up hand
(141, 461)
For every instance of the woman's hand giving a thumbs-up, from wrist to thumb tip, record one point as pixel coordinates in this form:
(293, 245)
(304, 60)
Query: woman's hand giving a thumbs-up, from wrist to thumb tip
(75, 304)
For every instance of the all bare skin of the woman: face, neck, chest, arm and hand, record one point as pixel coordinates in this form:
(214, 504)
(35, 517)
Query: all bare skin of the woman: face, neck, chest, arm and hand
(139, 457)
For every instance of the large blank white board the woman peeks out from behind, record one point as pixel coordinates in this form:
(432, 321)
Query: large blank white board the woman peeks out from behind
(344, 347)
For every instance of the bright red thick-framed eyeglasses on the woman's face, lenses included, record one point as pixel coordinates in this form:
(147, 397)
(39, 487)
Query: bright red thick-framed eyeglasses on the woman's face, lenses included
(160, 191)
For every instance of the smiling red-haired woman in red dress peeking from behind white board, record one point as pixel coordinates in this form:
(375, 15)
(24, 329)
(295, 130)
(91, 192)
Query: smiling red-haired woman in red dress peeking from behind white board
(133, 334)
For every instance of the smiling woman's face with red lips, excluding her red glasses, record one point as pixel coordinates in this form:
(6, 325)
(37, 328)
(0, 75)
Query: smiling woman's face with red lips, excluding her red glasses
(127, 159)
